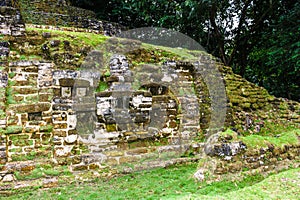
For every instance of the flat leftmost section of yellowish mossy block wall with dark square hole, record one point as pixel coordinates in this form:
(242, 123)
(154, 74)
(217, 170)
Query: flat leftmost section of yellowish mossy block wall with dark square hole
(28, 111)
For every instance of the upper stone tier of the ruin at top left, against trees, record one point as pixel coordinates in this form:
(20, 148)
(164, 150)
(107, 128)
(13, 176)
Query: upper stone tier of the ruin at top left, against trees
(59, 14)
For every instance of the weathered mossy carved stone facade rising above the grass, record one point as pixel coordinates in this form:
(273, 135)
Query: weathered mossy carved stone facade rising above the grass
(45, 113)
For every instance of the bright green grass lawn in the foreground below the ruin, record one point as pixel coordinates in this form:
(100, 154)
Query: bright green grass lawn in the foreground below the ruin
(174, 182)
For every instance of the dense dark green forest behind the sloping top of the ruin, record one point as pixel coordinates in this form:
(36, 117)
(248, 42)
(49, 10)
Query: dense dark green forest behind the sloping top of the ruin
(259, 39)
